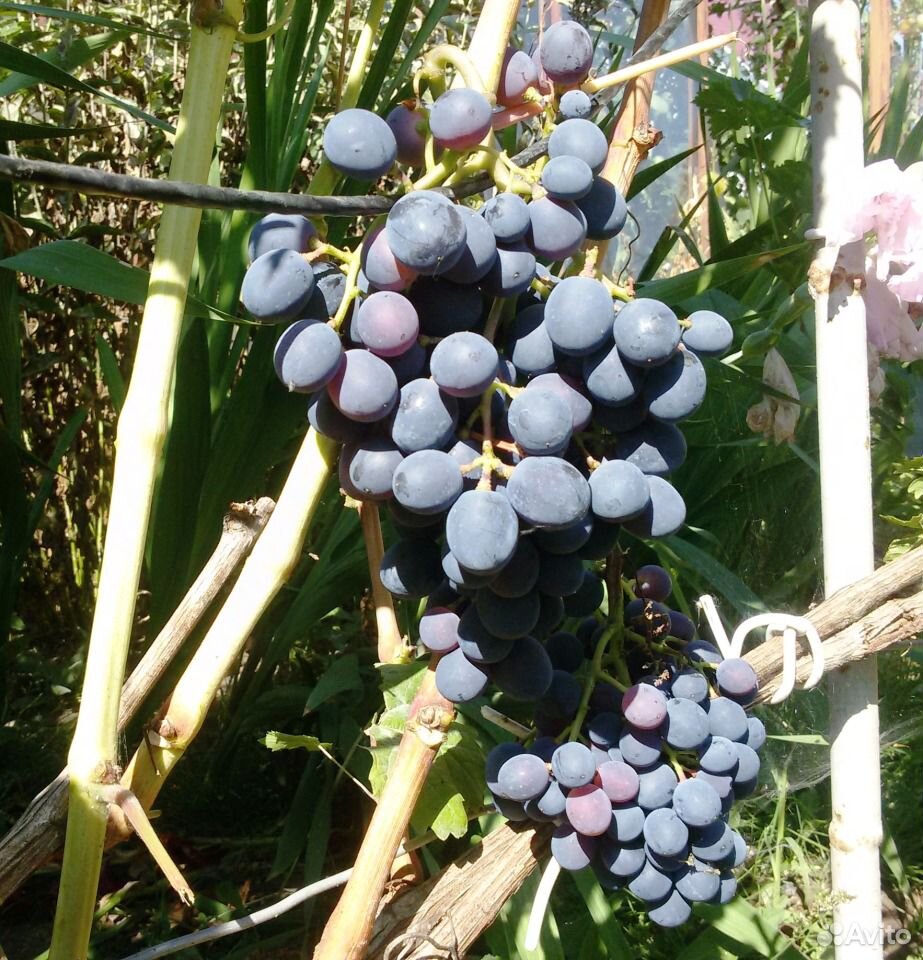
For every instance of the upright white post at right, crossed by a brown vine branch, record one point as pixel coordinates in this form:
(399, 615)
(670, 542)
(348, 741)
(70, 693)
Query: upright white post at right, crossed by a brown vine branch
(846, 500)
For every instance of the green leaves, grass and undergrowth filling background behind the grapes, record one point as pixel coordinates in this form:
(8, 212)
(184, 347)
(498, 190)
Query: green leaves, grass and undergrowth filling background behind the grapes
(246, 821)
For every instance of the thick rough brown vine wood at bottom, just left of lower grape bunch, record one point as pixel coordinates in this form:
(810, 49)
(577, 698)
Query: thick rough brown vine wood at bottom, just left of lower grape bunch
(460, 902)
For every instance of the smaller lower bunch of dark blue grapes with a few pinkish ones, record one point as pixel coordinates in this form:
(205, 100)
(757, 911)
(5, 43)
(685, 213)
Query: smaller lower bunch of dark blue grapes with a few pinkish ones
(644, 796)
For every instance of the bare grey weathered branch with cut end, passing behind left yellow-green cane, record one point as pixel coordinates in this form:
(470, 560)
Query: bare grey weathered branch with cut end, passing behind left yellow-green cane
(39, 833)
